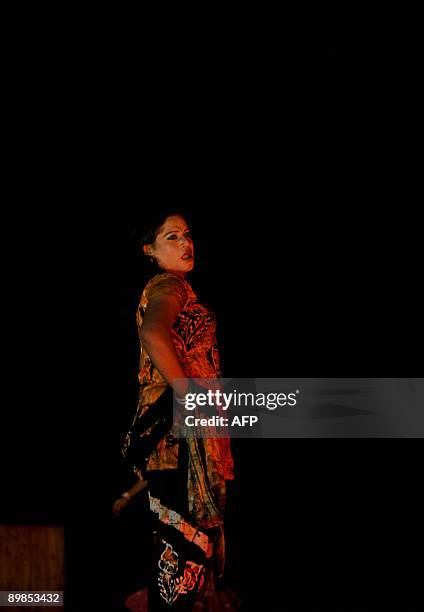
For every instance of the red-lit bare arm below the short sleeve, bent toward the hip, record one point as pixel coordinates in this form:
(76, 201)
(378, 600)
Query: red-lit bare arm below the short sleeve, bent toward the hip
(160, 315)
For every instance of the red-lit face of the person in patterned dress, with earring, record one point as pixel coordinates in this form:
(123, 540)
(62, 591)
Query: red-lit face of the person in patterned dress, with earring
(173, 247)
